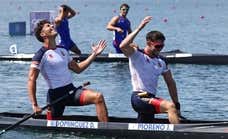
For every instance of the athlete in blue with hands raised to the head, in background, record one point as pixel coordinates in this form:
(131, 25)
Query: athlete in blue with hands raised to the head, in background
(62, 27)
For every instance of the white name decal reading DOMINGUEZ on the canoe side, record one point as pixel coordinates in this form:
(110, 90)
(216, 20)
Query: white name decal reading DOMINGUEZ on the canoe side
(72, 124)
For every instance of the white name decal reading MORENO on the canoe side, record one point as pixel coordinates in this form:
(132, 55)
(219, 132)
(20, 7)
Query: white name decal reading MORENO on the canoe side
(150, 127)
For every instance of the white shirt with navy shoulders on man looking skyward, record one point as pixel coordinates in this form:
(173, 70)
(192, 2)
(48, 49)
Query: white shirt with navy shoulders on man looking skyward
(53, 65)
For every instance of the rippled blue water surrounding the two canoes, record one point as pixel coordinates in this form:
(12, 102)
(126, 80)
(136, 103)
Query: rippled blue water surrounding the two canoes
(192, 26)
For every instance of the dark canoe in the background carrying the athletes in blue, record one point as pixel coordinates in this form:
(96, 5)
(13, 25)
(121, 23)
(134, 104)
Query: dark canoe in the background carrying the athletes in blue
(171, 57)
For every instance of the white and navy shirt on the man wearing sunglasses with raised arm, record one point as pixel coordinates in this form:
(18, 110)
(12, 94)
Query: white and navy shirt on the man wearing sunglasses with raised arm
(145, 71)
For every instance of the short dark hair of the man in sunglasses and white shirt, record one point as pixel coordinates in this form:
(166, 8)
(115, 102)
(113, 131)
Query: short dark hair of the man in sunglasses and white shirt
(155, 36)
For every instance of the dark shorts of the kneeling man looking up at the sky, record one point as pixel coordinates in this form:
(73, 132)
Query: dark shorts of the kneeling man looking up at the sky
(73, 100)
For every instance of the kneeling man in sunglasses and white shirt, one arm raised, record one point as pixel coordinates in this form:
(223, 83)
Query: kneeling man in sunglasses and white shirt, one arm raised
(146, 66)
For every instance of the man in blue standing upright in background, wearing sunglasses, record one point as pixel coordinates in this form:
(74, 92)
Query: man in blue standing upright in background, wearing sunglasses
(121, 27)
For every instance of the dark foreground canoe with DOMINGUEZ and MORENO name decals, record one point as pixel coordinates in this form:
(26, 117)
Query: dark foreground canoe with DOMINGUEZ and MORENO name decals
(123, 127)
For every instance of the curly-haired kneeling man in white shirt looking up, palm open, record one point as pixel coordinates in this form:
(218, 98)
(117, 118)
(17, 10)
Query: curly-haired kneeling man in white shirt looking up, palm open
(55, 64)
